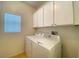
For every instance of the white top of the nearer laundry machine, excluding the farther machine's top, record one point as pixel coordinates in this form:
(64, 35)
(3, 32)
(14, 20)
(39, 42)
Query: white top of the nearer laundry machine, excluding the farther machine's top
(49, 43)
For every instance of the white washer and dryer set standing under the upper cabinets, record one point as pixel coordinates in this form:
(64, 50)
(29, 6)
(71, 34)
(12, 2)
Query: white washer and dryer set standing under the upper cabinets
(41, 47)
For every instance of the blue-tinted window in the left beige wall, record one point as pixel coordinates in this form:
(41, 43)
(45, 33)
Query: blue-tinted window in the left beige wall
(12, 23)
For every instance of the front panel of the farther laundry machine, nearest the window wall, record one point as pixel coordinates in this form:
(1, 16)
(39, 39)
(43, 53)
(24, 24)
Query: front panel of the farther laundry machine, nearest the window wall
(28, 47)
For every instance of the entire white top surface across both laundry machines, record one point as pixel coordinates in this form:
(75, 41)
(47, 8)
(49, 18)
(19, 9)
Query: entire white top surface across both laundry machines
(47, 43)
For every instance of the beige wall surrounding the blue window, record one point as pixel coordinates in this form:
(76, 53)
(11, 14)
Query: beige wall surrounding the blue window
(13, 43)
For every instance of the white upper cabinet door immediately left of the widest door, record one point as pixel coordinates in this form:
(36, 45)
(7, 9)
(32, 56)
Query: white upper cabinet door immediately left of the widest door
(48, 14)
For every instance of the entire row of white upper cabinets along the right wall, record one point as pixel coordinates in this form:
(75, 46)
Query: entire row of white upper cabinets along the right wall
(57, 13)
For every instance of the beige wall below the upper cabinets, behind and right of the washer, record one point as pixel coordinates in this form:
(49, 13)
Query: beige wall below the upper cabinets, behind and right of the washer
(69, 36)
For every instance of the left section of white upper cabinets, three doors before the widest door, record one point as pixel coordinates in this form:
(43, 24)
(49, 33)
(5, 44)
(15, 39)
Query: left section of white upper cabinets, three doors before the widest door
(44, 16)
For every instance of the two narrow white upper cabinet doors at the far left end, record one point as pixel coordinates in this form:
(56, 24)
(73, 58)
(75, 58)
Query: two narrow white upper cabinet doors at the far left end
(38, 18)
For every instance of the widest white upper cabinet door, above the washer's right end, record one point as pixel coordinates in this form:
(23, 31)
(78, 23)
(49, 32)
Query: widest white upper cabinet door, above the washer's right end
(63, 13)
